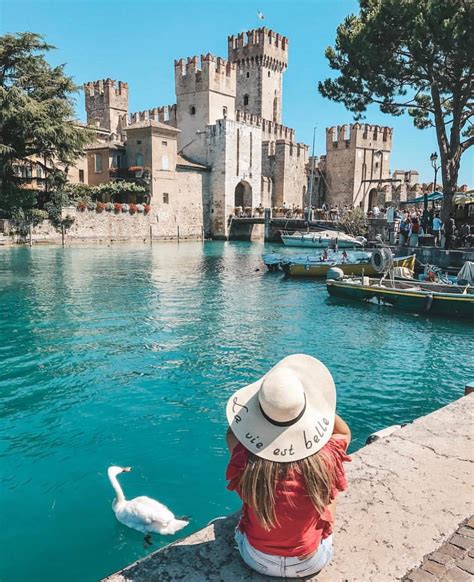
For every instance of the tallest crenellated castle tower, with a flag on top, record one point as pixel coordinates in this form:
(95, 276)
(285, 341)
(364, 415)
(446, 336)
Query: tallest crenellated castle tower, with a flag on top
(261, 57)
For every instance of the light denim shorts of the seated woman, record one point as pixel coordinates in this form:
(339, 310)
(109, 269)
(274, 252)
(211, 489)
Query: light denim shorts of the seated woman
(283, 566)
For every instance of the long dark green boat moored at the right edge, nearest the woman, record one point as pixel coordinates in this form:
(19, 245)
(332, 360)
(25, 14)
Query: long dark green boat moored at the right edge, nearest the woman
(414, 296)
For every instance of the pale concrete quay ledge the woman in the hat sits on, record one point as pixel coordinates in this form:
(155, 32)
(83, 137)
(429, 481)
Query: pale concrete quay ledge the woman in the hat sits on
(407, 494)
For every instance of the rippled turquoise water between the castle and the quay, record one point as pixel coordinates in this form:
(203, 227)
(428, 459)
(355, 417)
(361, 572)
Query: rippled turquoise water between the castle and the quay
(127, 354)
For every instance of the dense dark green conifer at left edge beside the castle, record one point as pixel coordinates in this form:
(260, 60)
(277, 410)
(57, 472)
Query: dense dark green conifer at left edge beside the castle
(36, 123)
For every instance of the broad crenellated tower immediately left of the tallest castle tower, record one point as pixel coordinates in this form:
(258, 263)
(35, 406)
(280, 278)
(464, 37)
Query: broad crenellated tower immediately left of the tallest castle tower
(205, 92)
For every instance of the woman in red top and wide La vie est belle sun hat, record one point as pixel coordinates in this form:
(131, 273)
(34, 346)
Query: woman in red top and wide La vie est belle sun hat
(287, 448)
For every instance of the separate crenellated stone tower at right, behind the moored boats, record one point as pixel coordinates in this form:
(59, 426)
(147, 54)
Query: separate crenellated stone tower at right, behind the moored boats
(357, 165)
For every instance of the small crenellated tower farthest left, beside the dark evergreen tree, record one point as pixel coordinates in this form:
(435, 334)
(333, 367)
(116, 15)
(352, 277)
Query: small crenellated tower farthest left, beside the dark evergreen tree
(106, 103)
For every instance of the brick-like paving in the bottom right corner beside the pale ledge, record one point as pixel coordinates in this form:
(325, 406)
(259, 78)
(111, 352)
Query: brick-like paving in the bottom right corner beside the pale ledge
(451, 562)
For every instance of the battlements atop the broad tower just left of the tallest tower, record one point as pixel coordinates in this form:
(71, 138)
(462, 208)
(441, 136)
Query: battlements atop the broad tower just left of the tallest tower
(210, 73)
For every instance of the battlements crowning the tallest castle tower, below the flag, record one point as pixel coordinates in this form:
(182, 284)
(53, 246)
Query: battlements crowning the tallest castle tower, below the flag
(261, 44)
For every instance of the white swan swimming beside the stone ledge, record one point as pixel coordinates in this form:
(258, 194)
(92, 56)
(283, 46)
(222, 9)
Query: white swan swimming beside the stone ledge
(142, 513)
